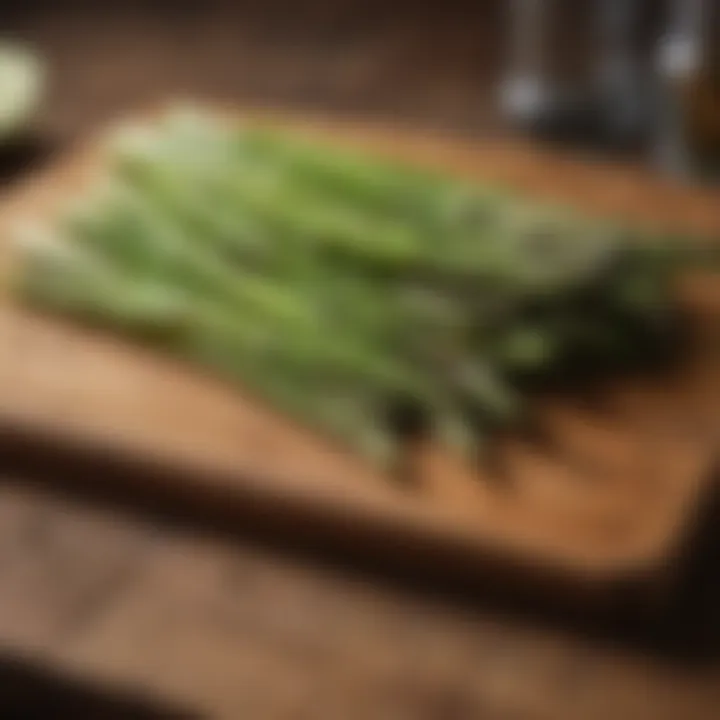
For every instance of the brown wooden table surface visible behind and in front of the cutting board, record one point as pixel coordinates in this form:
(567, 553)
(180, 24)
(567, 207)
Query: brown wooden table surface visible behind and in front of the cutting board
(218, 627)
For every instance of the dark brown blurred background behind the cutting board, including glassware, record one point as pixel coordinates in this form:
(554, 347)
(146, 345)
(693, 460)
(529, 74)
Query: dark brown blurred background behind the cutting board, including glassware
(619, 75)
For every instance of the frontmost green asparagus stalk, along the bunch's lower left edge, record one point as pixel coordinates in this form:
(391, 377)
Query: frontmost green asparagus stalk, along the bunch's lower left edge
(204, 333)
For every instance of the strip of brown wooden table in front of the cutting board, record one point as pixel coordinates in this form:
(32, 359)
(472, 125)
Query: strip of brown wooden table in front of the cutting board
(223, 629)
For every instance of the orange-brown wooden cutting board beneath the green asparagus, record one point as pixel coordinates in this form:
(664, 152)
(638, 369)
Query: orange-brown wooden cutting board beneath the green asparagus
(613, 507)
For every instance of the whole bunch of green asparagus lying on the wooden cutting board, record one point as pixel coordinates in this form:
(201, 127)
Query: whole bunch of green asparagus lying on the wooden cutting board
(363, 297)
